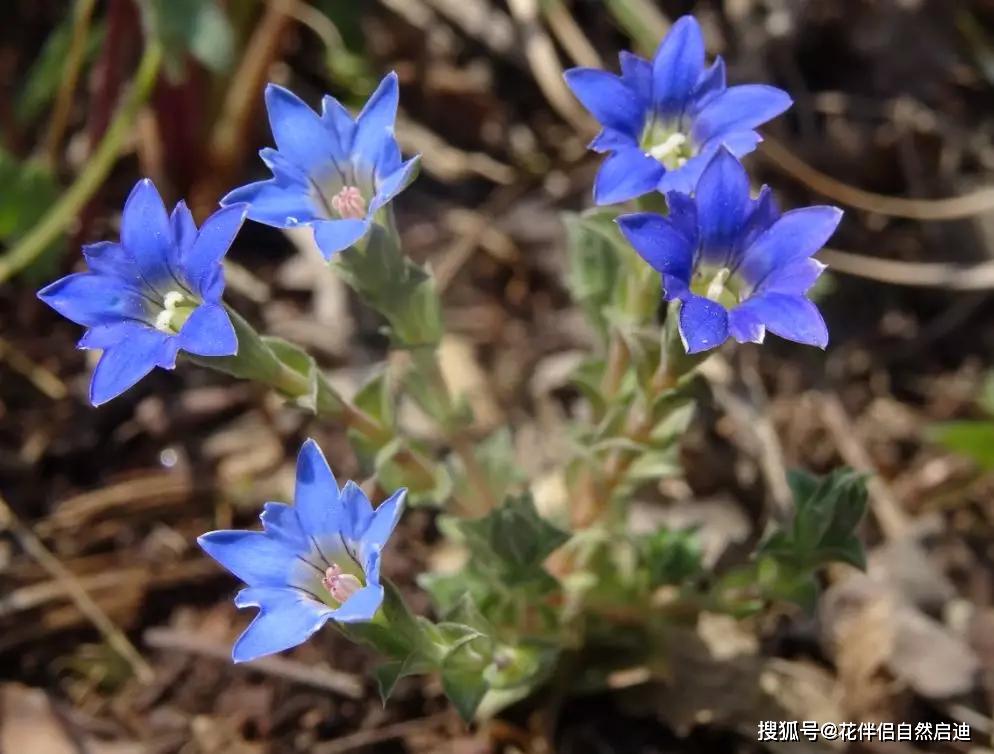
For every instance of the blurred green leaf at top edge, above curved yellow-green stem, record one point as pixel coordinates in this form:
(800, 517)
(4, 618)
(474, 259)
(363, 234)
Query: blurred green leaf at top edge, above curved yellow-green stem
(195, 27)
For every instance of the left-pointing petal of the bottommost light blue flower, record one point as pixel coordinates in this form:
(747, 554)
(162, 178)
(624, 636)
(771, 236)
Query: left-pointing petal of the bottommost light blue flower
(254, 557)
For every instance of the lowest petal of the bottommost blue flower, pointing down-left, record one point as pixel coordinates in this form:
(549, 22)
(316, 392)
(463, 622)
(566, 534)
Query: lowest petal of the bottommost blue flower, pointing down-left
(287, 617)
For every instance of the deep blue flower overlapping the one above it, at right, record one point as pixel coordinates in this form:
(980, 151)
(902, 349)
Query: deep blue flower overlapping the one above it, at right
(738, 266)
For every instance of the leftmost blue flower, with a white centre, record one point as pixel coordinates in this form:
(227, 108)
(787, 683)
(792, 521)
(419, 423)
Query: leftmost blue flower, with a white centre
(153, 294)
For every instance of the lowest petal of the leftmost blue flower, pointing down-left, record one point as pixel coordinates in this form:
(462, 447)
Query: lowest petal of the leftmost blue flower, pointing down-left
(124, 364)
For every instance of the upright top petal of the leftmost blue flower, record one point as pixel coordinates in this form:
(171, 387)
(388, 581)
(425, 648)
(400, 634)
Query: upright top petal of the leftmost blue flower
(148, 236)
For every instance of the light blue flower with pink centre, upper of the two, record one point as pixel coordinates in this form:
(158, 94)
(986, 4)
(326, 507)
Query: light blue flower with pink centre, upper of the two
(330, 172)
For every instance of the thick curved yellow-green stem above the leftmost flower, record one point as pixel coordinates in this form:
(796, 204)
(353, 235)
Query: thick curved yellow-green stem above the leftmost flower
(93, 175)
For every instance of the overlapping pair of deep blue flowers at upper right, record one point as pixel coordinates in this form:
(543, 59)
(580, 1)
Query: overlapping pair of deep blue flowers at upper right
(737, 266)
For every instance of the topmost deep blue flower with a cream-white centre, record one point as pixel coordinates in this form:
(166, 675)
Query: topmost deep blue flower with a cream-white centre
(663, 120)
